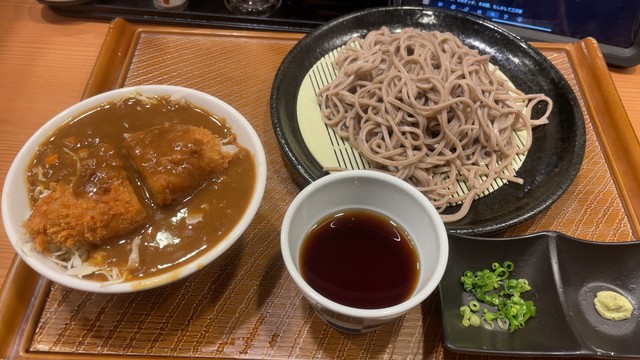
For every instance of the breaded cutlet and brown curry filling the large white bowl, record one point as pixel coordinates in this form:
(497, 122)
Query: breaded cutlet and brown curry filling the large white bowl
(135, 187)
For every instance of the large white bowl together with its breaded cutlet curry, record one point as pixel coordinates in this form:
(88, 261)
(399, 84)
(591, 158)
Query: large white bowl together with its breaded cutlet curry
(133, 189)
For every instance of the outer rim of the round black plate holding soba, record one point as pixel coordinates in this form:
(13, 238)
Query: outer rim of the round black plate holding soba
(304, 52)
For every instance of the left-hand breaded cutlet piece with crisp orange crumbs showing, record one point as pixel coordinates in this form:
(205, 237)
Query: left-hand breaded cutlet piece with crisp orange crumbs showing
(98, 204)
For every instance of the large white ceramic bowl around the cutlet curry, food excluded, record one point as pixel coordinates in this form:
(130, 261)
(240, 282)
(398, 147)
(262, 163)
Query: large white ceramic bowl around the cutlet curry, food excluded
(16, 207)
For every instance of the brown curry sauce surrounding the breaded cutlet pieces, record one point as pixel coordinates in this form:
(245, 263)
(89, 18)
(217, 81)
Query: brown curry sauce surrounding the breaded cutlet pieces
(174, 233)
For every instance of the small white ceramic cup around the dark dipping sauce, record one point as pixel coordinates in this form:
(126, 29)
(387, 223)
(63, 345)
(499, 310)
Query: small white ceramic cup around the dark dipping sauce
(385, 194)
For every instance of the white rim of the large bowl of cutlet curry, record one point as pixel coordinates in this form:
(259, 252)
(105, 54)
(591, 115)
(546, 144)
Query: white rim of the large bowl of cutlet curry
(196, 97)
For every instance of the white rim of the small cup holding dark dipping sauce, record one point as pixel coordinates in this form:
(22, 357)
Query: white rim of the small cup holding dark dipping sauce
(387, 312)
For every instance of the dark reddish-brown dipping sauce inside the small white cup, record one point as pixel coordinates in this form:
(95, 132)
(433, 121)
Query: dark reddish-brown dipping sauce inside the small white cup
(361, 259)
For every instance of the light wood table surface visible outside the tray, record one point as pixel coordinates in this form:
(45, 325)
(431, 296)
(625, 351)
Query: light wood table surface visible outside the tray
(46, 60)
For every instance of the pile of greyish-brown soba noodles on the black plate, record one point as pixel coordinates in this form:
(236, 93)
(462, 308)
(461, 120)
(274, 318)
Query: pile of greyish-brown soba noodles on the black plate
(427, 109)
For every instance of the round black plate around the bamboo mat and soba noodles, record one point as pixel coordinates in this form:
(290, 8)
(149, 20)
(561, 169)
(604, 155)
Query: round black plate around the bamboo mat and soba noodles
(558, 147)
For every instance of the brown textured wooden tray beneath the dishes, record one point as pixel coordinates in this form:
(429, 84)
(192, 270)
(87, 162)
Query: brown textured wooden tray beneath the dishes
(244, 305)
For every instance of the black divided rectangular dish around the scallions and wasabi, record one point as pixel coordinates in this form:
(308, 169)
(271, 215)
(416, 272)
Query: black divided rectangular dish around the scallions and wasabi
(565, 274)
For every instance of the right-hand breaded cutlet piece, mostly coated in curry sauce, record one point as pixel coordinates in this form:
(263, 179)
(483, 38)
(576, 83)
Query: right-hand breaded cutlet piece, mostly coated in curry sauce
(176, 160)
